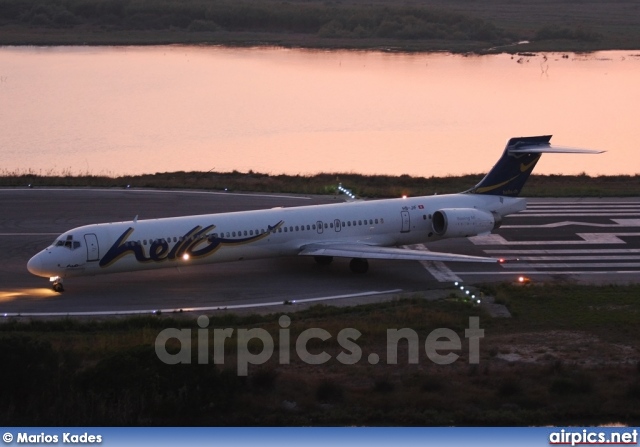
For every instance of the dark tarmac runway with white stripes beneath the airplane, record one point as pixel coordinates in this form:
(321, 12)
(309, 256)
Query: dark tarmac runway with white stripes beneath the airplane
(581, 240)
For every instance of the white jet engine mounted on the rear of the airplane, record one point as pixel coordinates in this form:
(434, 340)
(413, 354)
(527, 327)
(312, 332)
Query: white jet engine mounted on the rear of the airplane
(463, 222)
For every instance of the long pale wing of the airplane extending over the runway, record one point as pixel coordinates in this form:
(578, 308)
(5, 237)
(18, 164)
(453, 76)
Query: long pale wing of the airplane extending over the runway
(374, 252)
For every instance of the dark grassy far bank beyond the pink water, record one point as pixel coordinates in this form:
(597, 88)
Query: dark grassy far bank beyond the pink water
(456, 26)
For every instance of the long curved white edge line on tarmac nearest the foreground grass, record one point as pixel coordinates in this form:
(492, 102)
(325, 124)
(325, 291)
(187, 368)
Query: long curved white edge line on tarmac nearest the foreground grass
(195, 309)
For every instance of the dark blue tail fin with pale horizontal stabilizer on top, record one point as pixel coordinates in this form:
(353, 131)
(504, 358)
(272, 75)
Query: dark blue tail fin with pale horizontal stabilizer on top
(510, 173)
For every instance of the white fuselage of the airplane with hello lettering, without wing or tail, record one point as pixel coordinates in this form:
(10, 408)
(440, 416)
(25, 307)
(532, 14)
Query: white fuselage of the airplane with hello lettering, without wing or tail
(180, 241)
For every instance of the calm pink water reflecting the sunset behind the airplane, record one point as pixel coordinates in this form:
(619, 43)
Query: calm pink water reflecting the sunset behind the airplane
(135, 110)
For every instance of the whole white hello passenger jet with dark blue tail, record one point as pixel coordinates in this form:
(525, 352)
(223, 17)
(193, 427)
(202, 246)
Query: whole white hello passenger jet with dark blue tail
(359, 230)
